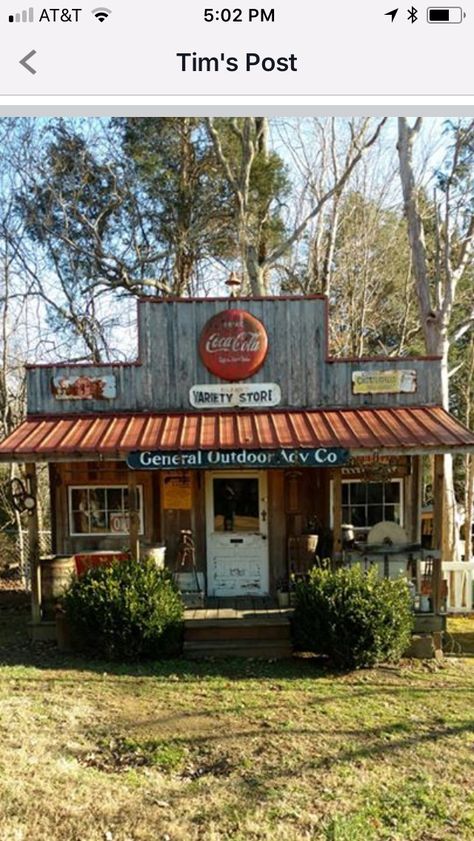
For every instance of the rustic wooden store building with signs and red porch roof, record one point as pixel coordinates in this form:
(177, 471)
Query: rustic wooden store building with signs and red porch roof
(235, 423)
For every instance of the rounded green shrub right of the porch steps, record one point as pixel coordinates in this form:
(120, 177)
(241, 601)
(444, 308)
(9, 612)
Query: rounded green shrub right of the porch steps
(356, 618)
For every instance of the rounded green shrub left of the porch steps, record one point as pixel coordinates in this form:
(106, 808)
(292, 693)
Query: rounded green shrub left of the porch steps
(126, 610)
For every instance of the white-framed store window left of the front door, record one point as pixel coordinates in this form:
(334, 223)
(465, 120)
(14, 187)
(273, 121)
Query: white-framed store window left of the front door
(101, 510)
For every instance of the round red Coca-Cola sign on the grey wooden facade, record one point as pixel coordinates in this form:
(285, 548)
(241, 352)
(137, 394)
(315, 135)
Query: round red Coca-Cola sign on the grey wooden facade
(233, 345)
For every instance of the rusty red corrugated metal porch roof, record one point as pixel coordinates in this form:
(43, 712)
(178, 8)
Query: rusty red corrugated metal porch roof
(389, 431)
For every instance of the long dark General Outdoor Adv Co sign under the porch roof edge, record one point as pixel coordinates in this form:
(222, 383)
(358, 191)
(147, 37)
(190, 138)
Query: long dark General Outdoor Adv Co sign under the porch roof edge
(282, 457)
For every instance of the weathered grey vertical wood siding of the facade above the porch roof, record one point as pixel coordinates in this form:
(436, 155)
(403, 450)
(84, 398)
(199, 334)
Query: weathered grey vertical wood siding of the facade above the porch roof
(169, 362)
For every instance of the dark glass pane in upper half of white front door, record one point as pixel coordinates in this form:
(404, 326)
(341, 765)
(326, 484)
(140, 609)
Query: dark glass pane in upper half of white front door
(236, 505)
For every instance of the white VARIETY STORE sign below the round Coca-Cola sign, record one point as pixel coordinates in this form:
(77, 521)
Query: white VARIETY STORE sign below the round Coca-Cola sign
(234, 395)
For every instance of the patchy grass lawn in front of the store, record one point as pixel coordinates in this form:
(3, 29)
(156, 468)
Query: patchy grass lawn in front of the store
(236, 750)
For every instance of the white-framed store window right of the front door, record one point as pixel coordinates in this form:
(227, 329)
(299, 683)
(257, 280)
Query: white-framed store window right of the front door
(366, 503)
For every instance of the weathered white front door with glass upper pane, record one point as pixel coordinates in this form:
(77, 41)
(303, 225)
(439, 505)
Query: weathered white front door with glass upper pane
(237, 533)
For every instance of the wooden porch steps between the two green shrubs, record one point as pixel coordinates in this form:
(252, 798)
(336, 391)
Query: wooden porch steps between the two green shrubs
(258, 637)
